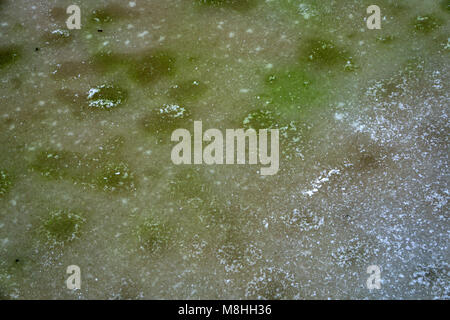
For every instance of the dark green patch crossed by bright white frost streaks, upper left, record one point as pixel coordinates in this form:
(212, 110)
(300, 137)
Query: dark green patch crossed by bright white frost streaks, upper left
(106, 97)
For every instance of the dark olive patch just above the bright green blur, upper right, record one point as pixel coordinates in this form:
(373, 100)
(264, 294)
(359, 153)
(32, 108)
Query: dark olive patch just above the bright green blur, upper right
(326, 54)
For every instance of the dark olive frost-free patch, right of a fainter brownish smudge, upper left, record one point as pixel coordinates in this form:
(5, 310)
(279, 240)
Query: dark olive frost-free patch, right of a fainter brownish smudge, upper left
(152, 66)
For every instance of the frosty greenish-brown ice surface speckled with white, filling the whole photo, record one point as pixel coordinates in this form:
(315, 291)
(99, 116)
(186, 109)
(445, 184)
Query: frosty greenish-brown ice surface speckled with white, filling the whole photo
(86, 177)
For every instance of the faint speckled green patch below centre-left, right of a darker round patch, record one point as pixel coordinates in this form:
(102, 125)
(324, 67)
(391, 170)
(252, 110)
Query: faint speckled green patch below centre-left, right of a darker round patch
(153, 235)
